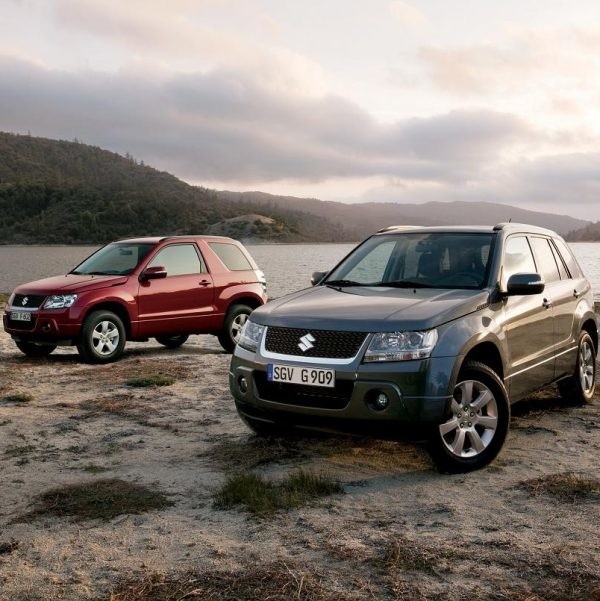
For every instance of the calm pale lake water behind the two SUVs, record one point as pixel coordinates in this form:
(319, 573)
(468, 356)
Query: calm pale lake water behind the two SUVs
(288, 267)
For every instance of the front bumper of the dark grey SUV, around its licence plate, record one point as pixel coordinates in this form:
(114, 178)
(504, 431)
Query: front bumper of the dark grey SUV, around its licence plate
(419, 392)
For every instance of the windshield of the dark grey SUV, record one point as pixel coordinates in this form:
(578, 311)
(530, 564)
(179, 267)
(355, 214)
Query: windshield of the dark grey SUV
(417, 260)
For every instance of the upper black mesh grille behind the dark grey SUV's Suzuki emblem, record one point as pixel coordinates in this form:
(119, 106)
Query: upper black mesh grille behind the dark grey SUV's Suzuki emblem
(330, 344)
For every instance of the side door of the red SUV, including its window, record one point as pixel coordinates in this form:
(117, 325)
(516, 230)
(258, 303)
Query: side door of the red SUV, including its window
(181, 302)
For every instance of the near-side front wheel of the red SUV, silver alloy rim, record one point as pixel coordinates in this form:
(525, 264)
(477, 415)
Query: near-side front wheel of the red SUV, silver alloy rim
(102, 337)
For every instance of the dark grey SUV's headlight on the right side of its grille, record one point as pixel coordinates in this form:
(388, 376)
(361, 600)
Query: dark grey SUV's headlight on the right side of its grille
(401, 346)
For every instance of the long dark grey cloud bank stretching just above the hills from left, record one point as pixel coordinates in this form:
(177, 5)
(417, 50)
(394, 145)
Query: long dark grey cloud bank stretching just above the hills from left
(224, 125)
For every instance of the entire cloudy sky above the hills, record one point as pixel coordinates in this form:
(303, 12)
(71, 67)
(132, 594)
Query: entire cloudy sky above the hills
(383, 100)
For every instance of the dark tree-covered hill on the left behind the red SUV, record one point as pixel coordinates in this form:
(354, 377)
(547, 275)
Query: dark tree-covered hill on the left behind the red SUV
(59, 192)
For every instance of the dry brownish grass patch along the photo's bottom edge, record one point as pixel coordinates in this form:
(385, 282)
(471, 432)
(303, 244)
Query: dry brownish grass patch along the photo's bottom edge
(274, 582)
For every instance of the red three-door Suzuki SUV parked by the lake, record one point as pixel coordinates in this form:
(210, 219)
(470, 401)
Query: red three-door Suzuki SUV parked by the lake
(165, 288)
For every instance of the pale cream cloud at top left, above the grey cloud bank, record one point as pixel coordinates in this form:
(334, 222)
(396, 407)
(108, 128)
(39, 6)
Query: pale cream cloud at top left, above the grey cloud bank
(178, 34)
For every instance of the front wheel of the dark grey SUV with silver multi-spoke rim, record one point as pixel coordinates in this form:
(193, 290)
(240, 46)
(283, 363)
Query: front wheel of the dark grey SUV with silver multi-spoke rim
(477, 423)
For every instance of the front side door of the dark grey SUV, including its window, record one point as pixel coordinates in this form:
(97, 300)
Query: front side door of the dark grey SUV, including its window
(529, 325)
